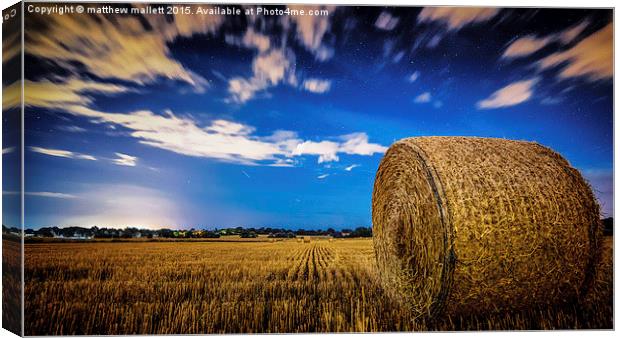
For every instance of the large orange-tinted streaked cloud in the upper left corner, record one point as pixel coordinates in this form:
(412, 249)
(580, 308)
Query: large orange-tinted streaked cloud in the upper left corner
(122, 47)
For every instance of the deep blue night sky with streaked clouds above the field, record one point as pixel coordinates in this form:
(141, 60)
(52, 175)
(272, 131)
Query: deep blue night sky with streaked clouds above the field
(211, 121)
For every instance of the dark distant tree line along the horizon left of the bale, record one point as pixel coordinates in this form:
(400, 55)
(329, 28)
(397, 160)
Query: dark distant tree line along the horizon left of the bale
(130, 232)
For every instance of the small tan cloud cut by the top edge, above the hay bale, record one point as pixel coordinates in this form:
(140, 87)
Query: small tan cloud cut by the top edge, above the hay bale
(456, 18)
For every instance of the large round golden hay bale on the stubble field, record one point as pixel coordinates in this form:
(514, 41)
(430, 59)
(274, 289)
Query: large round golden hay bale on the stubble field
(467, 225)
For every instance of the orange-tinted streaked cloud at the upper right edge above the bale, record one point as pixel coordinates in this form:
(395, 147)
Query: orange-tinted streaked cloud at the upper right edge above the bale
(591, 58)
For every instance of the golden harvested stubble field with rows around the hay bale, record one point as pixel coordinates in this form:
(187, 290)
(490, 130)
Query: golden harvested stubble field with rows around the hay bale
(210, 287)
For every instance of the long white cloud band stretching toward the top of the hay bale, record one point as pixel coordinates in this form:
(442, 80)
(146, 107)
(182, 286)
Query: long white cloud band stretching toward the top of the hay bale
(226, 140)
